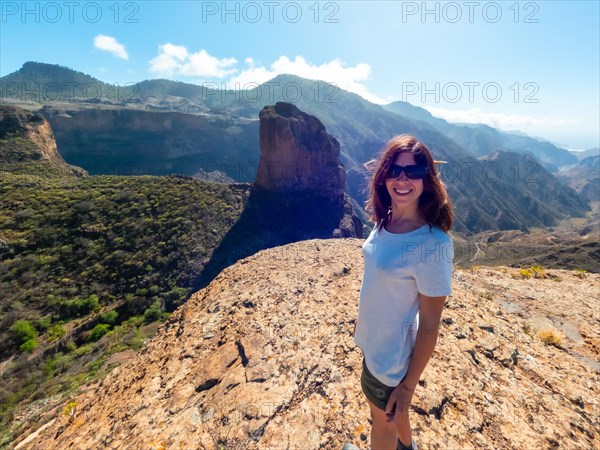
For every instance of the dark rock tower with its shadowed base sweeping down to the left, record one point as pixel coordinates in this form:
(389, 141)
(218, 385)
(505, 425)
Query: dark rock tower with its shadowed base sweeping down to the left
(299, 192)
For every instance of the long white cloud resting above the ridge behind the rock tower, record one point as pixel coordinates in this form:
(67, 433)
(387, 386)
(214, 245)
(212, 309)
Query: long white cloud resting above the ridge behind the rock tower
(333, 72)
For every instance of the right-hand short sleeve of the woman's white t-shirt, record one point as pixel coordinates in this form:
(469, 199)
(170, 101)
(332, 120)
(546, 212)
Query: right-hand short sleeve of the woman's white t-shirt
(434, 270)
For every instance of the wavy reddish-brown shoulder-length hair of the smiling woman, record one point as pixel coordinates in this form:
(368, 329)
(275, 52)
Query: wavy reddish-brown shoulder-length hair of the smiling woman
(434, 203)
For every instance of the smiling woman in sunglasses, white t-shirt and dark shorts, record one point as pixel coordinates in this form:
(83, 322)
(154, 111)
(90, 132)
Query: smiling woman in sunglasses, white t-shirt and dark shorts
(408, 269)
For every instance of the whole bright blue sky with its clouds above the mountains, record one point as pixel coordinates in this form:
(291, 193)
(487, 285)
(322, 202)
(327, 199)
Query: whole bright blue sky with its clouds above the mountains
(528, 66)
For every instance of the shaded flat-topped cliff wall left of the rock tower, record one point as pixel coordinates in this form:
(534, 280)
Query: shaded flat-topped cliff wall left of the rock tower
(119, 141)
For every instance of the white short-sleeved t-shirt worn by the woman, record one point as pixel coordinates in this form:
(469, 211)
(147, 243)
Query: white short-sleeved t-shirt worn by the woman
(399, 266)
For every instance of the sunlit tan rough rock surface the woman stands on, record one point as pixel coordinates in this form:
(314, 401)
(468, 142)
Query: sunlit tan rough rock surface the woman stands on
(263, 358)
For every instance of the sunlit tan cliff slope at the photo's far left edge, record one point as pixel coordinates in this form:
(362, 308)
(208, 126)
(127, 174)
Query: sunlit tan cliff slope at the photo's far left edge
(27, 138)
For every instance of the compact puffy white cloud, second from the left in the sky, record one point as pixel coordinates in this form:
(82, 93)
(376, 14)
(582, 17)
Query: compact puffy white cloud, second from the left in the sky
(176, 60)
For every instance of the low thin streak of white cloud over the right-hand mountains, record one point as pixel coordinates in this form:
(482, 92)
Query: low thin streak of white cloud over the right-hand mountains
(498, 120)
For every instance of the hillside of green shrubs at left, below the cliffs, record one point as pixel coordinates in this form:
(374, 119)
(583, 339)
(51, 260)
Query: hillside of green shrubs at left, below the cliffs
(87, 262)
